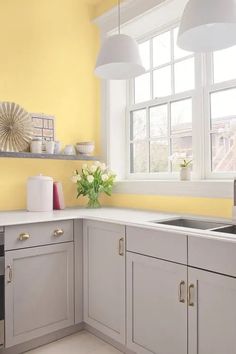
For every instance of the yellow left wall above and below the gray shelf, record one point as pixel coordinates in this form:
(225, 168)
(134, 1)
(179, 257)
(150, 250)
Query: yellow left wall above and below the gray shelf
(48, 51)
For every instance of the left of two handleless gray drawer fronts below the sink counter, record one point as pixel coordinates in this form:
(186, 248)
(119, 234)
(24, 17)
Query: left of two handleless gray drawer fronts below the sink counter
(160, 244)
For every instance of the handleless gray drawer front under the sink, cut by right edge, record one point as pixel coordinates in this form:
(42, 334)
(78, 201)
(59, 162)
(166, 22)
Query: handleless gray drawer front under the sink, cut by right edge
(215, 255)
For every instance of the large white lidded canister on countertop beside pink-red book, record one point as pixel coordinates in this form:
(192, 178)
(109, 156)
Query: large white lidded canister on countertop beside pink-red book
(40, 193)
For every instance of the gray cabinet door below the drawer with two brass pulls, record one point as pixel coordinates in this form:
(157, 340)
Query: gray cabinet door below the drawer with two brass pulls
(39, 291)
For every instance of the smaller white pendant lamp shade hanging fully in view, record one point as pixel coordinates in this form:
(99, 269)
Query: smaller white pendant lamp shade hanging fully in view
(119, 59)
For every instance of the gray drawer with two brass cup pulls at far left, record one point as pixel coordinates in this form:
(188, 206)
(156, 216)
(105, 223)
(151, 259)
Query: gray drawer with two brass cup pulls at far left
(30, 235)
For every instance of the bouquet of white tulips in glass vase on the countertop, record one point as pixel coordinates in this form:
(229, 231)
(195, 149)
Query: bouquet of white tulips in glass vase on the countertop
(92, 181)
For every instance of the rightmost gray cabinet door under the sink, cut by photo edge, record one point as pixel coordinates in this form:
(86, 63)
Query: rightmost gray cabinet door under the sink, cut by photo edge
(212, 313)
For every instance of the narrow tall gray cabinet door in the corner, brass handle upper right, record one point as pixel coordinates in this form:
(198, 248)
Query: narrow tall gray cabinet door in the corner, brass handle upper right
(104, 278)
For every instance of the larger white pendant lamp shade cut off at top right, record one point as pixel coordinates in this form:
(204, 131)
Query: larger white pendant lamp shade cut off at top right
(208, 25)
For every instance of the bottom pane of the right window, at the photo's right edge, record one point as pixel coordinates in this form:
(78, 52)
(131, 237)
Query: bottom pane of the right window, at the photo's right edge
(223, 148)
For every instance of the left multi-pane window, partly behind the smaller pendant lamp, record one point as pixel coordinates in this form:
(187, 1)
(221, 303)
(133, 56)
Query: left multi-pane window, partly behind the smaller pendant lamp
(161, 113)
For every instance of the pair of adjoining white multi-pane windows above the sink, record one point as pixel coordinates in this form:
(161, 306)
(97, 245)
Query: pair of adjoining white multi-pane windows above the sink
(161, 111)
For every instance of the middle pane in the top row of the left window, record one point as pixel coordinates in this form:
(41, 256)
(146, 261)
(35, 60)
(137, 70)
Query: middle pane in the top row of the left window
(161, 49)
